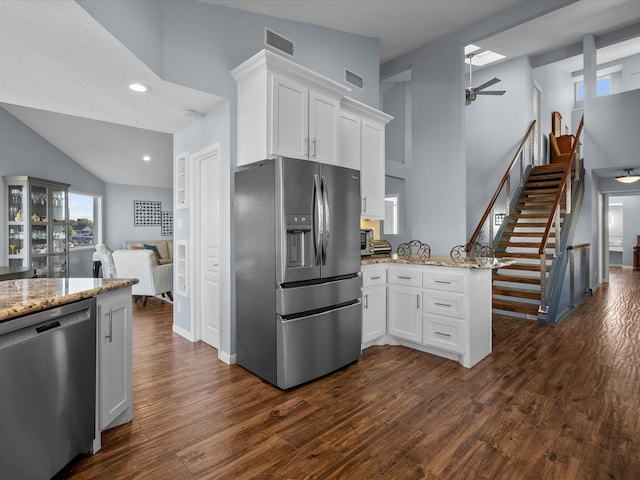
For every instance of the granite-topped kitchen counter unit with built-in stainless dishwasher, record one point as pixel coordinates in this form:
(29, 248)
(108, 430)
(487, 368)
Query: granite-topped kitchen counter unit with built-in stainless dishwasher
(65, 367)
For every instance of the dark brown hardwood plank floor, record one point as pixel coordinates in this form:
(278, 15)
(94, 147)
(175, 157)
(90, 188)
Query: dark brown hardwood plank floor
(549, 403)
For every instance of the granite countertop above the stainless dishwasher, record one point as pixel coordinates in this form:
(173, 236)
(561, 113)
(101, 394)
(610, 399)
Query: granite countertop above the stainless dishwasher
(21, 297)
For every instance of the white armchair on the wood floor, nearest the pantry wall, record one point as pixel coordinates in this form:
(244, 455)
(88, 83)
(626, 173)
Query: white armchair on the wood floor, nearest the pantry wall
(153, 279)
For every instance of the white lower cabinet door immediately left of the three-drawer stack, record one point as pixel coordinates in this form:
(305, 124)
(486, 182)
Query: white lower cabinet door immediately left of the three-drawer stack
(405, 313)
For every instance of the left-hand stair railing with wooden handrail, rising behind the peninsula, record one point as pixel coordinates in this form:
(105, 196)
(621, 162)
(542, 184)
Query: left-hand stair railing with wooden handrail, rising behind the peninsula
(504, 188)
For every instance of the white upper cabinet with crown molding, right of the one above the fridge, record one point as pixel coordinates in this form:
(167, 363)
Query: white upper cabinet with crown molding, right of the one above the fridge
(361, 146)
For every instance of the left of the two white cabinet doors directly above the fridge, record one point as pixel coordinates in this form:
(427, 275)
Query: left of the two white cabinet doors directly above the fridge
(289, 118)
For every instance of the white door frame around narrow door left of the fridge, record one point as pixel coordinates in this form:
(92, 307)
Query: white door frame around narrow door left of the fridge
(195, 263)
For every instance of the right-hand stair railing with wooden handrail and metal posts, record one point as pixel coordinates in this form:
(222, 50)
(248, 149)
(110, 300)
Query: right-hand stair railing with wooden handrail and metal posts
(554, 217)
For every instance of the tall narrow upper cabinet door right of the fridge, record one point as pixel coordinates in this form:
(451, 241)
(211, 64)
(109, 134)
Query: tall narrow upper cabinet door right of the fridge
(372, 169)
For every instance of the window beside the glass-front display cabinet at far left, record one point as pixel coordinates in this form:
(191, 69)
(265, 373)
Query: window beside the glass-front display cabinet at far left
(84, 220)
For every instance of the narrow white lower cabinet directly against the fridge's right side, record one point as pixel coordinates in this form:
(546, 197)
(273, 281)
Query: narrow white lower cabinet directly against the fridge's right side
(374, 304)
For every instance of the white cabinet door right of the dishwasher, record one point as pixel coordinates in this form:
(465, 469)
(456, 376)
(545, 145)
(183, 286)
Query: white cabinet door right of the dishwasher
(114, 345)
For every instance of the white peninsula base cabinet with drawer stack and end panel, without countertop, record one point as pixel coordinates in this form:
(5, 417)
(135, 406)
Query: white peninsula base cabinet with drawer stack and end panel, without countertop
(445, 311)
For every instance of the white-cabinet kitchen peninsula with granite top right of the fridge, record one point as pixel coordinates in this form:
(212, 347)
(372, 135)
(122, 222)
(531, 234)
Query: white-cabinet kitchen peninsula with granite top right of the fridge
(437, 304)
